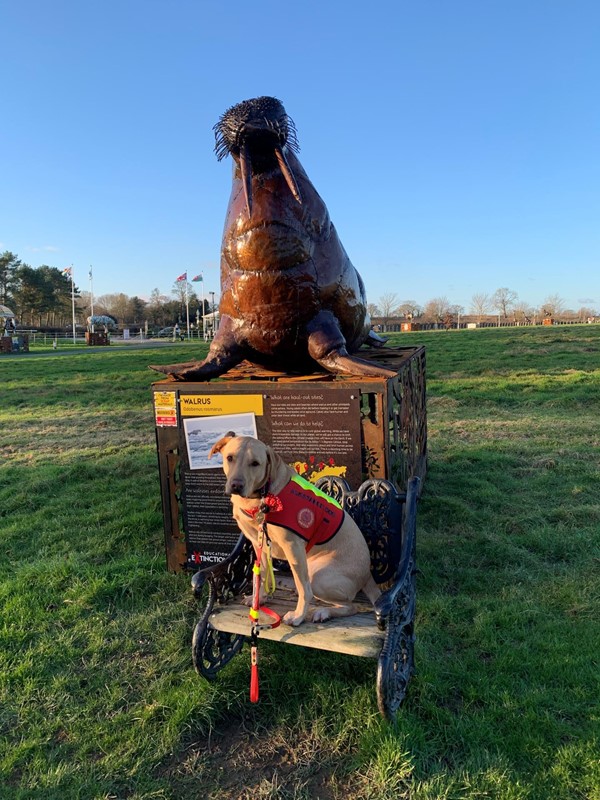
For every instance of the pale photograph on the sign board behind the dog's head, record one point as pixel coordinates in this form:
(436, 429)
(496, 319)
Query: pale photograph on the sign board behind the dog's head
(202, 432)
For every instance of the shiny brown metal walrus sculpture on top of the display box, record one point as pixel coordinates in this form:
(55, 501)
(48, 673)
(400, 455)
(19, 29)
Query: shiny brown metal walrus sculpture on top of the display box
(290, 296)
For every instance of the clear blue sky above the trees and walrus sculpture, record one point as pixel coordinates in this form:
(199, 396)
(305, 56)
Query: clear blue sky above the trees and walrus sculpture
(455, 142)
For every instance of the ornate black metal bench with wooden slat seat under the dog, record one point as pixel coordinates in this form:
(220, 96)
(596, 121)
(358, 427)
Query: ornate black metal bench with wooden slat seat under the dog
(387, 519)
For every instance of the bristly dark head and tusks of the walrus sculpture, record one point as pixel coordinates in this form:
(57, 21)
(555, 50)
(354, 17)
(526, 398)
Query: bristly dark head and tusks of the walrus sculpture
(256, 133)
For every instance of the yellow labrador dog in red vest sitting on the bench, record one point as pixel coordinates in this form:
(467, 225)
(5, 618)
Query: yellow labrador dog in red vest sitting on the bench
(325, 549)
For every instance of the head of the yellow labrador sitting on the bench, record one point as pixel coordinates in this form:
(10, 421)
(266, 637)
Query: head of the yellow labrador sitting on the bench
(246, 463)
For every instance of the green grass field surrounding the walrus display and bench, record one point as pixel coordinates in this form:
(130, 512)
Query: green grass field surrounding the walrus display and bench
(98, 696)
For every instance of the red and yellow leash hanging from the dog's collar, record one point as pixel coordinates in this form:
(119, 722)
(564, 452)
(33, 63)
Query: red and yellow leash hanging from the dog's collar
(256, 609)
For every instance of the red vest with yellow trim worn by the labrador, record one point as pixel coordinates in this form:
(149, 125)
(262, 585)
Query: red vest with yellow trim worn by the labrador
(305, 510)
